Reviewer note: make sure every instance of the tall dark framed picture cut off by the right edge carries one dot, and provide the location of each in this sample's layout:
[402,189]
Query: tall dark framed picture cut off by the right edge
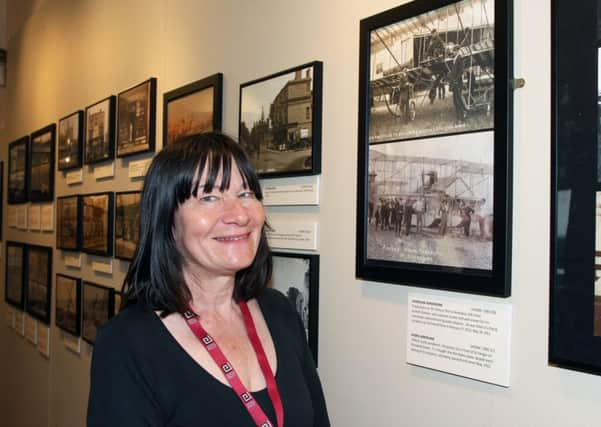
[575,279]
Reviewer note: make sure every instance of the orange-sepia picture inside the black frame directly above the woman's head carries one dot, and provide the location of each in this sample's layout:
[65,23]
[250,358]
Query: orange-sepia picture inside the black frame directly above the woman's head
[190,115]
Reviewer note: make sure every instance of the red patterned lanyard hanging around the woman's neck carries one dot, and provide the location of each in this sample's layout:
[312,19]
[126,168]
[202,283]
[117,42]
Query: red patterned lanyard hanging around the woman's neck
[230,374]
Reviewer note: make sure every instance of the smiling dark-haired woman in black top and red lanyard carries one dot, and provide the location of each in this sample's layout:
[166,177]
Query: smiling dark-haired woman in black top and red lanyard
[200,338]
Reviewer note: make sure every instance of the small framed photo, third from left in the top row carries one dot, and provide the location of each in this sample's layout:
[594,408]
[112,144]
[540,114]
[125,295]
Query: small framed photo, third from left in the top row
[70,141]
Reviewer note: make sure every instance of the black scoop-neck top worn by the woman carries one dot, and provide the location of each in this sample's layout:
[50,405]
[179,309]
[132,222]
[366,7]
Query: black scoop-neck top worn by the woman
[141,376]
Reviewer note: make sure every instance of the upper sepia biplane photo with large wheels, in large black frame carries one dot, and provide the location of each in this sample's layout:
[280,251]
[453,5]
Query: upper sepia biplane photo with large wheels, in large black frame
[433,74]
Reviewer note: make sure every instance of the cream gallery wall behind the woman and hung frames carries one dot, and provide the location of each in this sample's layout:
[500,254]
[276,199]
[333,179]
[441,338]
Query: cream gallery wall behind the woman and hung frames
[70,54]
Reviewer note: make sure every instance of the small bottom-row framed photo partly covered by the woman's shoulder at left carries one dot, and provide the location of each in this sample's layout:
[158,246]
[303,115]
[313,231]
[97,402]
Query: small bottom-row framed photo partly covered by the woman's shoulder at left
[97,309]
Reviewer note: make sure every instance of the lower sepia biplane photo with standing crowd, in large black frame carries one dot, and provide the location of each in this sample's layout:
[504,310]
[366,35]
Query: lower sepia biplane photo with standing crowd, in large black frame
[431,201]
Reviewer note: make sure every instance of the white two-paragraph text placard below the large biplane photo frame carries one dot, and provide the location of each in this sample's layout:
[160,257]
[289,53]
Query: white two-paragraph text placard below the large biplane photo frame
[465,337]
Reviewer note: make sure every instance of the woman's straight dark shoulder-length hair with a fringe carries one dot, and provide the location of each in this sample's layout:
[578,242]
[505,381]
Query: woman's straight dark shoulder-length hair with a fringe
[155,276]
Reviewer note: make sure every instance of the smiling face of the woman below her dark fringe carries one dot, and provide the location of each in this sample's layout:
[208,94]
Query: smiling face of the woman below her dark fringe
[218,233]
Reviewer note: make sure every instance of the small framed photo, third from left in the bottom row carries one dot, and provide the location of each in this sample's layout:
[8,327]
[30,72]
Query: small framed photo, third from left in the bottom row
[68,304]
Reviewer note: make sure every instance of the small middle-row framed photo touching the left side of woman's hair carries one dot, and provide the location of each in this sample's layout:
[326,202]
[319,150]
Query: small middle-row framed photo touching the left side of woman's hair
[127,223]
